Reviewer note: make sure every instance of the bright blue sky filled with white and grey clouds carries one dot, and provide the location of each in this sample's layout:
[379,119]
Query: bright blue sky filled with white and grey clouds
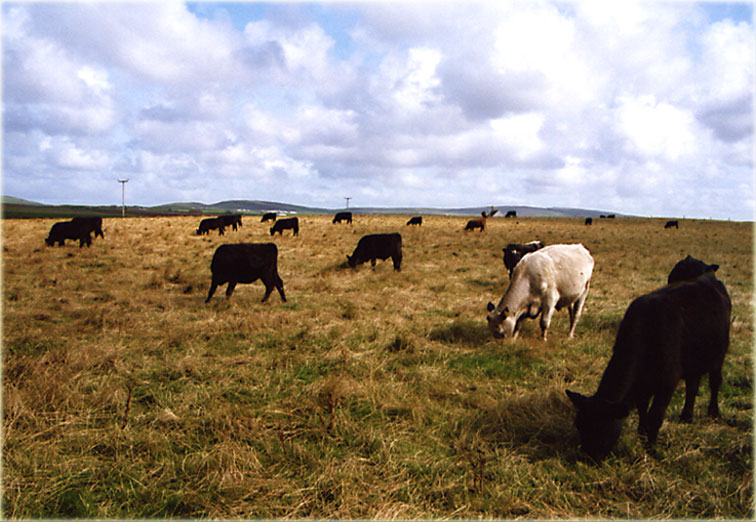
[642,108]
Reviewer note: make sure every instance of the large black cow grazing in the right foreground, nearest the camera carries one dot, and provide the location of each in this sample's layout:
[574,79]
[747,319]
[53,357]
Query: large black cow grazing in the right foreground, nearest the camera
[680,331]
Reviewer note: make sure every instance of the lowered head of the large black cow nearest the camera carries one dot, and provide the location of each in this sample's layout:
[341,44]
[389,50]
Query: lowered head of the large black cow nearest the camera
[599,424]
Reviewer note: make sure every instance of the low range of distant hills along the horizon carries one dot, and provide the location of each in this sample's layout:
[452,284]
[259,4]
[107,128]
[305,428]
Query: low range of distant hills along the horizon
[18,208]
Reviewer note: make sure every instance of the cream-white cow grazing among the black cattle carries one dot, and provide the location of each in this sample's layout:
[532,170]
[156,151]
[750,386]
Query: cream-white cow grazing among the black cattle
[543,281]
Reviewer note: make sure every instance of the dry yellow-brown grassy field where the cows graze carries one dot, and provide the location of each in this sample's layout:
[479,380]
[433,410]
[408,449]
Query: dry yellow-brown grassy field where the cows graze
[369,394]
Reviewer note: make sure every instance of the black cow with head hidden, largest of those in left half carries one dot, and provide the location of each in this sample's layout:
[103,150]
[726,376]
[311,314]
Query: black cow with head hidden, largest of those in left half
[246,263]
